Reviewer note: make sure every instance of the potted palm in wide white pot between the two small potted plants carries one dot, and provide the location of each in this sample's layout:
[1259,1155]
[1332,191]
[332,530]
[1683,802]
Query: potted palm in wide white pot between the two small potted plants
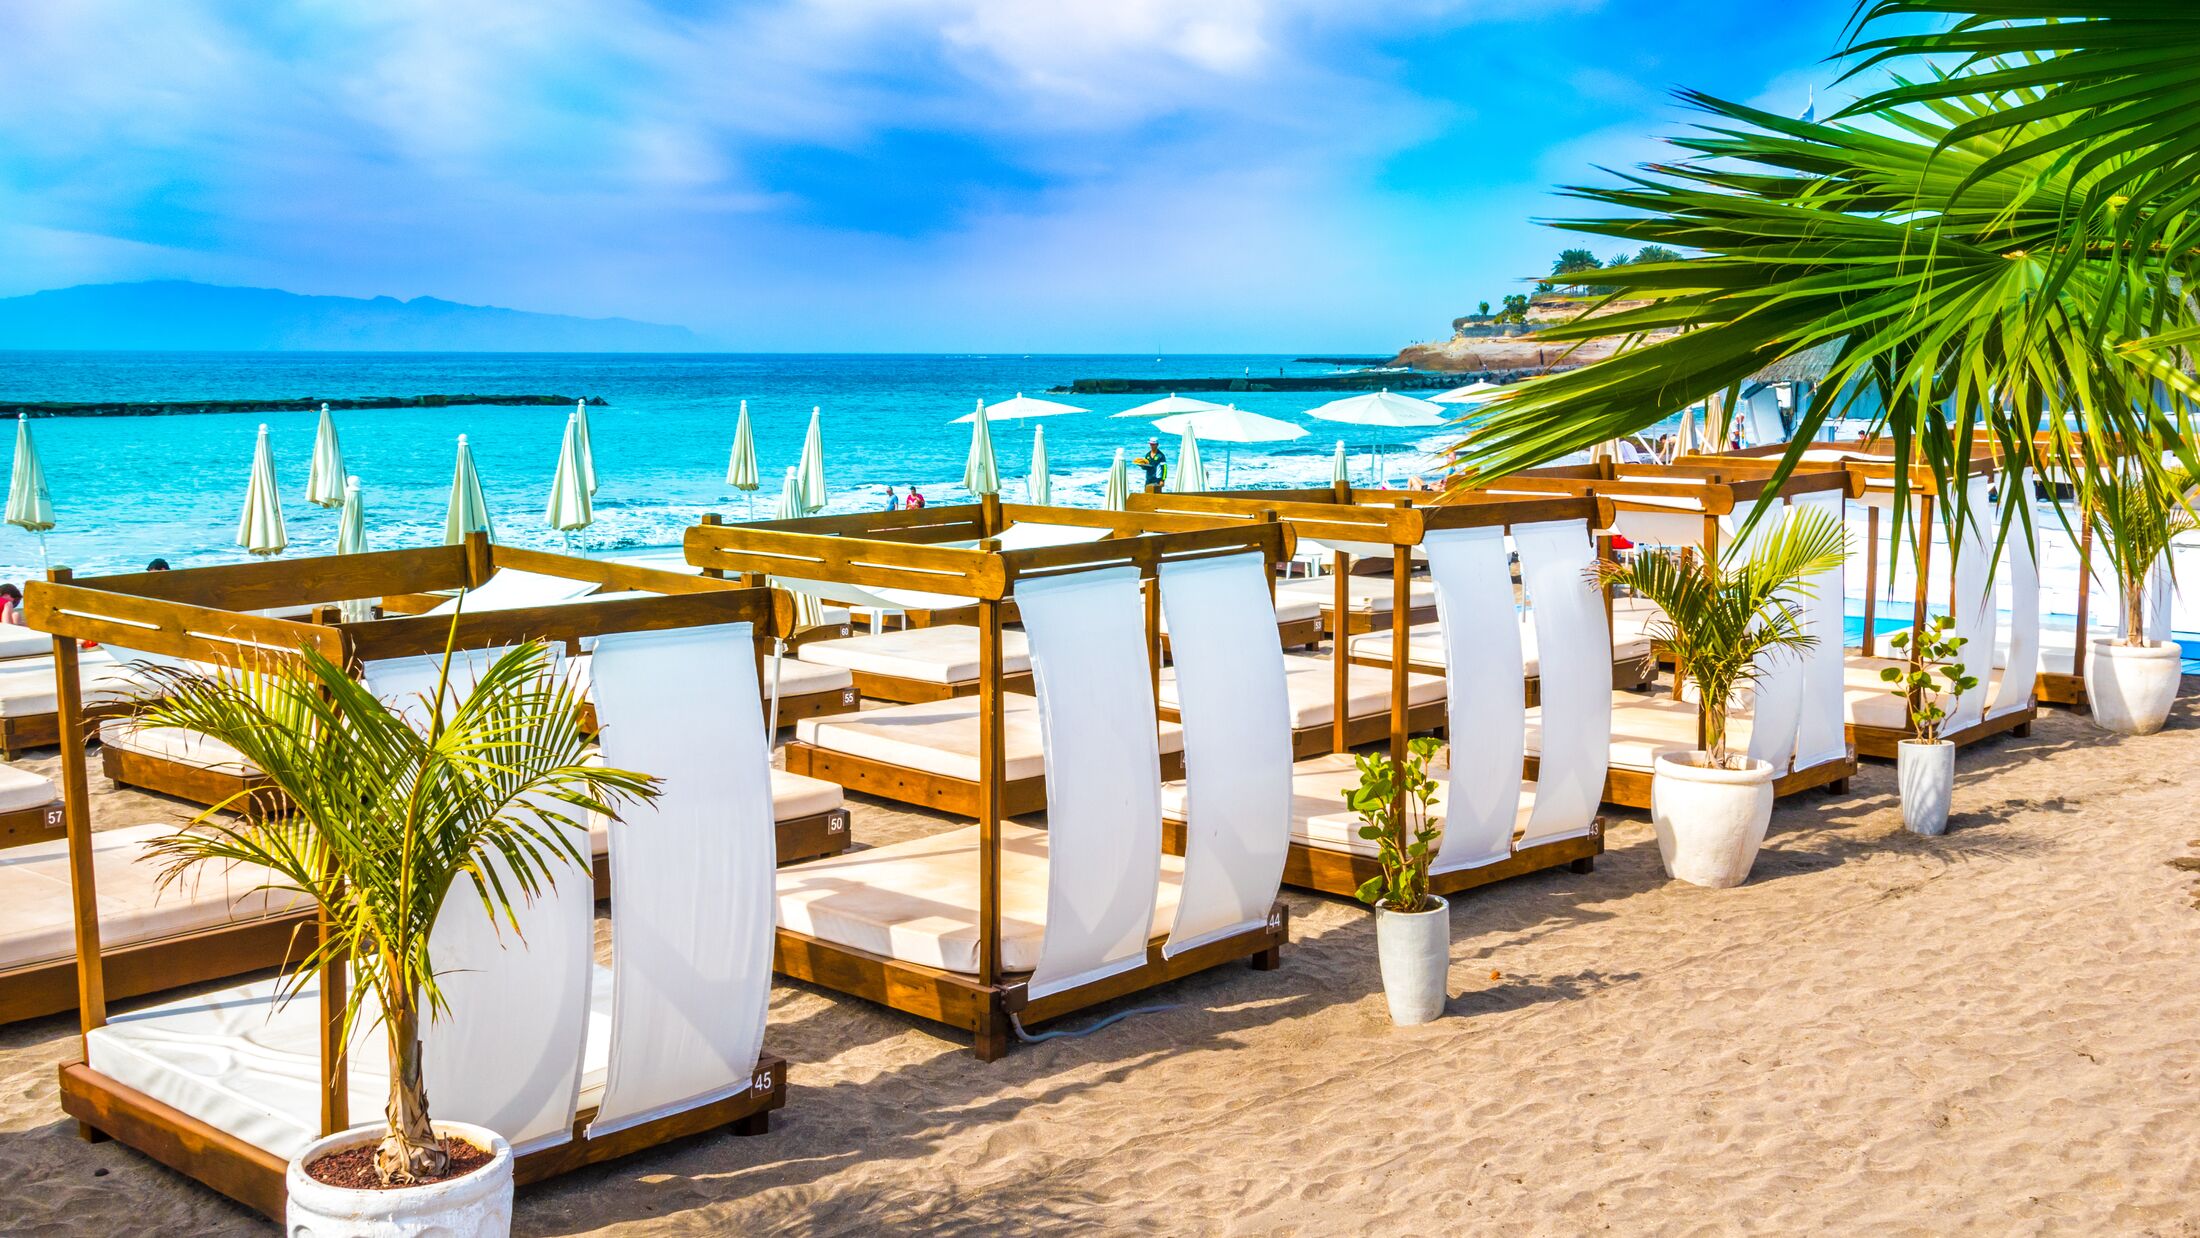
[1721,621]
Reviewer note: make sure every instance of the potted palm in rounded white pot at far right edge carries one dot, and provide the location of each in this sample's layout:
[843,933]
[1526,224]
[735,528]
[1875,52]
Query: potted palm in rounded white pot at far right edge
[2131,681]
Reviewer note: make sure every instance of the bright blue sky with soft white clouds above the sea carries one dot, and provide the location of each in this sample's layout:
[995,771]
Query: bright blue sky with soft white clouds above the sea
[863,175]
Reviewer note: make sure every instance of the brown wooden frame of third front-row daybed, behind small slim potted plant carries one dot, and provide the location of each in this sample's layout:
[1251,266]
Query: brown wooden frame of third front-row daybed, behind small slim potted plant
[1385,518]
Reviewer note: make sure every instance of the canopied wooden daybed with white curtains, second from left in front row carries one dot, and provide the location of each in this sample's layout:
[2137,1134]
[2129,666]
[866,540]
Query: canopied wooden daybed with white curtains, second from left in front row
[956,927]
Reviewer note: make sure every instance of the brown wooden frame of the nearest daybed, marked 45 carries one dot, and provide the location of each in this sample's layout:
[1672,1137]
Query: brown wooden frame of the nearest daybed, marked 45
[199,615]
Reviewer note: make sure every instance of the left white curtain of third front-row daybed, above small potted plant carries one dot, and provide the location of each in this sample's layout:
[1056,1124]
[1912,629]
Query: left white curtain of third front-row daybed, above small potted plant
[1486,696]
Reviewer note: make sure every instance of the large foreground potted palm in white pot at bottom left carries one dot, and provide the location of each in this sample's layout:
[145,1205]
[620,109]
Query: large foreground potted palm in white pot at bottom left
[386,819]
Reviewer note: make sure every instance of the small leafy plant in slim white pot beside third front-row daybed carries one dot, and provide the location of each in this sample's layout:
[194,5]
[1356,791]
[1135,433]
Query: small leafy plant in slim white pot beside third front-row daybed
[1413,931]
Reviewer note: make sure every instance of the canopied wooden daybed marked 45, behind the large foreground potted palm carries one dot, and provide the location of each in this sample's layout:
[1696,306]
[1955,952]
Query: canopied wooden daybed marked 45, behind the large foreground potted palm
[232,1118]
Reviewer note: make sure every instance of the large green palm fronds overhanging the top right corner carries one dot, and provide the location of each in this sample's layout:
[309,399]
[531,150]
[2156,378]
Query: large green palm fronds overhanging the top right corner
[1992,252]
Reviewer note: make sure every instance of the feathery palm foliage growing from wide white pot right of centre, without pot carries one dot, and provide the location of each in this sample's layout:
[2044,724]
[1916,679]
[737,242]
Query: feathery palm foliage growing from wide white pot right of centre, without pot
[1721,621]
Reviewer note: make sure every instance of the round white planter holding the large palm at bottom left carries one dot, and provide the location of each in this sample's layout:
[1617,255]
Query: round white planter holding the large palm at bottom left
[476,1206]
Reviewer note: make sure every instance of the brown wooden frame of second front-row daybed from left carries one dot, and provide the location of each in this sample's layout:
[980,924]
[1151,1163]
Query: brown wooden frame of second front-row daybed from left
[987,1004]
